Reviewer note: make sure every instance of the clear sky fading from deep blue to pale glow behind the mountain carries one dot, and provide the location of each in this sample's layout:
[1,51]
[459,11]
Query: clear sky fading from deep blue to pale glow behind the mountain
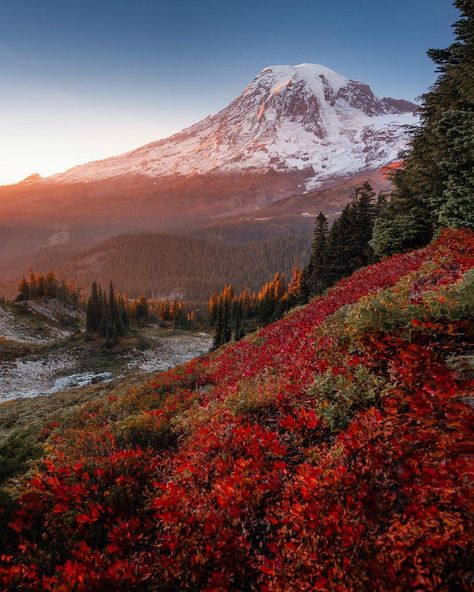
[81,80]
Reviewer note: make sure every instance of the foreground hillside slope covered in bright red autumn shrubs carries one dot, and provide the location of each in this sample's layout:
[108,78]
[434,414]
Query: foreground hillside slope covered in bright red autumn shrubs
[326,452]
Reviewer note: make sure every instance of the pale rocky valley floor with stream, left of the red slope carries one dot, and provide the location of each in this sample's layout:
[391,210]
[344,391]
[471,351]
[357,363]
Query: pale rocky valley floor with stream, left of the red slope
[45,367]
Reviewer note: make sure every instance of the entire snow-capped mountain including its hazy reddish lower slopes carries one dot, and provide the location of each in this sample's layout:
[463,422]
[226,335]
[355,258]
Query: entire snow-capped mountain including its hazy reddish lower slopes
[293,144]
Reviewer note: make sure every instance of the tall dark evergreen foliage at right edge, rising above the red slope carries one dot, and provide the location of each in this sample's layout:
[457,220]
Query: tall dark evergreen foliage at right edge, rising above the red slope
[435,186]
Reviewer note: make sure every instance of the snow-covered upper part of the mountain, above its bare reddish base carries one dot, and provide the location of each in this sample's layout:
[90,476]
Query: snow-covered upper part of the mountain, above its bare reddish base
[306,119]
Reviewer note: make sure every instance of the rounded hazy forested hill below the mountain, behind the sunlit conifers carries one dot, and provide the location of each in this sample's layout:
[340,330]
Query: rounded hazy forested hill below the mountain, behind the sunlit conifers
[165,266]
